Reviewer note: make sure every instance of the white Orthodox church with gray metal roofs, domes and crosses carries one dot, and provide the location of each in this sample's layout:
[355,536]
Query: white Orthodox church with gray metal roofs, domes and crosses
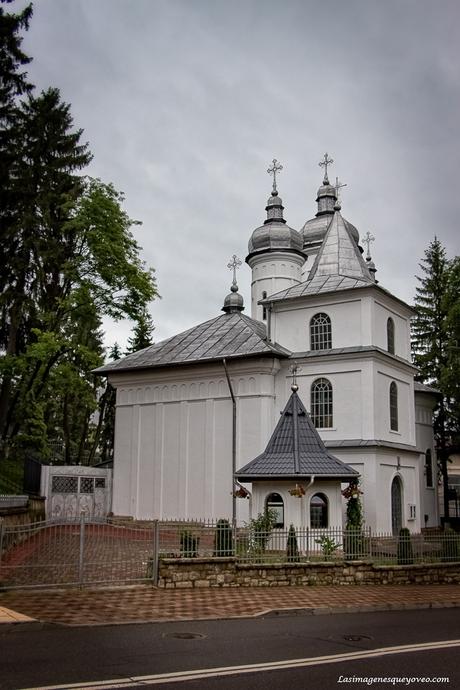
[286,407]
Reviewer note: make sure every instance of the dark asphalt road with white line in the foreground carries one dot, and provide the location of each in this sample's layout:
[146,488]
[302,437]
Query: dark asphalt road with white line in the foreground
[38,656]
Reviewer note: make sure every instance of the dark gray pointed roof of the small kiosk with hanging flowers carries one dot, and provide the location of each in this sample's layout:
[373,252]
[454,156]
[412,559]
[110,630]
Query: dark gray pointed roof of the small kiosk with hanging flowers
[295,450]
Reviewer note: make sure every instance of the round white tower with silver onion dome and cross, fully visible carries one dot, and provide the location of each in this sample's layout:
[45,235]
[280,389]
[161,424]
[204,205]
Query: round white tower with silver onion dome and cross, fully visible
[275,252]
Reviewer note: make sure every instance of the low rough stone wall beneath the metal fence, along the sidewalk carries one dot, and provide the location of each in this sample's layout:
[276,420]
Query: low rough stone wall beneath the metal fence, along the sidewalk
[185,573]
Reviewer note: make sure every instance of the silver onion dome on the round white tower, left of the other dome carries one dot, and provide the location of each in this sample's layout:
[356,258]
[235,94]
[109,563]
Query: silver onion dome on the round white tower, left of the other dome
[274,234]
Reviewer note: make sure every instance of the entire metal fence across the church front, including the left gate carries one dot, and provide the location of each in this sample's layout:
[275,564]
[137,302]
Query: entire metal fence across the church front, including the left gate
[92,551]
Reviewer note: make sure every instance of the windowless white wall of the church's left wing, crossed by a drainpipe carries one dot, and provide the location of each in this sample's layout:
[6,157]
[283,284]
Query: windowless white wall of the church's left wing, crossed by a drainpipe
[173,437]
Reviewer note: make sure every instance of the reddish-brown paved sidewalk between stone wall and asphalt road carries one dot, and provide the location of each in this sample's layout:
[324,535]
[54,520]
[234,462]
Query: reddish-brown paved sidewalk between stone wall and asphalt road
[141,604]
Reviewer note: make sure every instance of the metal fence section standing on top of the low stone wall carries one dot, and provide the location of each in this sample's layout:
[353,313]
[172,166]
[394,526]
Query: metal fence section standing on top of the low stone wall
[305,544]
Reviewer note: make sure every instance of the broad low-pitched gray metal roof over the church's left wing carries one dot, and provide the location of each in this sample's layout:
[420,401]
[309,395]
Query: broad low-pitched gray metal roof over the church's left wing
[229,335]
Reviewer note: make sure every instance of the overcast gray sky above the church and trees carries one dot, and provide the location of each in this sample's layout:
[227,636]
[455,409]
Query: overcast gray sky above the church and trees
[185,102]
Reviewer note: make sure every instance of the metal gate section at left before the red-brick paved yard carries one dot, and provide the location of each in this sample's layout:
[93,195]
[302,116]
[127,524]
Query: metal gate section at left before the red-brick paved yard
[76,552]
